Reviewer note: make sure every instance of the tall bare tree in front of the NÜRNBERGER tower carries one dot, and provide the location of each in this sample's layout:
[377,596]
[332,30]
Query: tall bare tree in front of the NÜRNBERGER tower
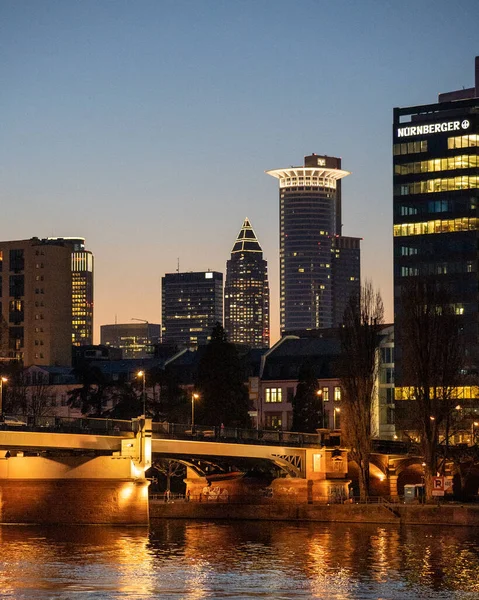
[431,362]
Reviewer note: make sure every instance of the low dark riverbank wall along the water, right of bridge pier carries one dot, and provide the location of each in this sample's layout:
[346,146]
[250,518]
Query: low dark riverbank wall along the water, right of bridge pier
[445,515]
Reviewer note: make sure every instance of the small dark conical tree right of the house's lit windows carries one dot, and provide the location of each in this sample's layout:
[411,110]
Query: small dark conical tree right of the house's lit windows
[308,415]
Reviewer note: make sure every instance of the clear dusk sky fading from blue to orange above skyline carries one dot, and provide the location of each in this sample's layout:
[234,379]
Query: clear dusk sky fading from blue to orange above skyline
[147,126]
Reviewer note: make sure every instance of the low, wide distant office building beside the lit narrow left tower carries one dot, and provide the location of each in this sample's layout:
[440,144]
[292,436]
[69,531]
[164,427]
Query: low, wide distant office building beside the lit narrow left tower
[135,340]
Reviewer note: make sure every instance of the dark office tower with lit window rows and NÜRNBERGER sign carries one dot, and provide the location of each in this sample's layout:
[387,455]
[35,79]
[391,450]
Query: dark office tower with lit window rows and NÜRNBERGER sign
[436,200]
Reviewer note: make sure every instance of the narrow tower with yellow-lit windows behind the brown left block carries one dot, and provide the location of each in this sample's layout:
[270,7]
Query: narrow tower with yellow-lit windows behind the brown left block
[82,290]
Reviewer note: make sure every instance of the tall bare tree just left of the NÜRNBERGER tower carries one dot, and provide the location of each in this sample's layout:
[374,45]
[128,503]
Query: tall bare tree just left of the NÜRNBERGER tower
[359,368]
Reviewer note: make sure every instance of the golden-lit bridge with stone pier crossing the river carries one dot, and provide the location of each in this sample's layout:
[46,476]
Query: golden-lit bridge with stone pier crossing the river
[93,470]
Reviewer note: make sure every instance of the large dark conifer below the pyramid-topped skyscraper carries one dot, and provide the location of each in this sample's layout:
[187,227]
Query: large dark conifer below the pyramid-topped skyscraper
[223,397]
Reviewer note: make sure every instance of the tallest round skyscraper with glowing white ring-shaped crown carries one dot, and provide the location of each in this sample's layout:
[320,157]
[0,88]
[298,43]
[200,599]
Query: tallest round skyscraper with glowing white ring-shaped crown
[310,225]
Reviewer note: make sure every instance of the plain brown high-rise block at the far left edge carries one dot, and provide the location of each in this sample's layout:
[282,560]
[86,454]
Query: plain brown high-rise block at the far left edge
[36,302]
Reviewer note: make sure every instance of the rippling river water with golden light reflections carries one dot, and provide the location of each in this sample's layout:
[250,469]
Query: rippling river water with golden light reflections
[191,560]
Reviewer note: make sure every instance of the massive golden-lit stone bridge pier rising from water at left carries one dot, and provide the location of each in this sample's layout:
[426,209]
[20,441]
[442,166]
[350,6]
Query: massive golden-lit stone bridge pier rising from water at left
[59,486]
